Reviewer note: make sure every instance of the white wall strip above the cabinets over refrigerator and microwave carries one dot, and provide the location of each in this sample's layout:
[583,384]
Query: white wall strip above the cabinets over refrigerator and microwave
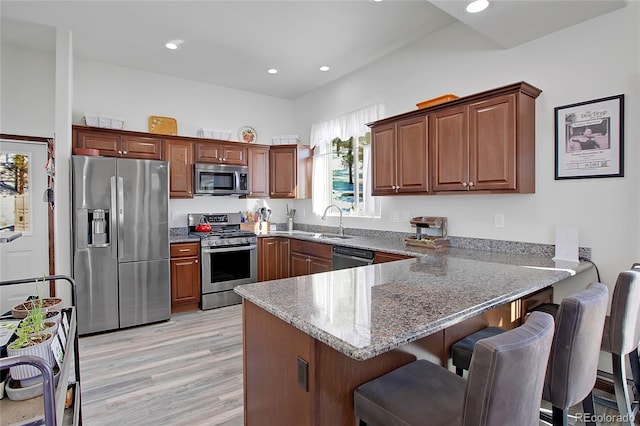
[135,95]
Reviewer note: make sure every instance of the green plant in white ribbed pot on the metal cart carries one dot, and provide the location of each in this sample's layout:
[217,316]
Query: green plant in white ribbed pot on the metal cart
[33,337]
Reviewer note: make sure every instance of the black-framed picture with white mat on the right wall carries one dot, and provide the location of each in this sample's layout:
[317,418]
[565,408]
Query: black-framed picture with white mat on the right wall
[590,139]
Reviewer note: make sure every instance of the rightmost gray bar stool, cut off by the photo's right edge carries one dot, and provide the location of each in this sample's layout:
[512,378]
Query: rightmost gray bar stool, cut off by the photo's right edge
[621,337]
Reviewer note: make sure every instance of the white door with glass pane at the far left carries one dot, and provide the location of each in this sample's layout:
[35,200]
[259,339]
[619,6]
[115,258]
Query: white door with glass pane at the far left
[23,209]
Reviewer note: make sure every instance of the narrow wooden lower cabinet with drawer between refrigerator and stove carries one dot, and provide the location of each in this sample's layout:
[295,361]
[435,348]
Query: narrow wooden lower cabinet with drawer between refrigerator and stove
[185,276]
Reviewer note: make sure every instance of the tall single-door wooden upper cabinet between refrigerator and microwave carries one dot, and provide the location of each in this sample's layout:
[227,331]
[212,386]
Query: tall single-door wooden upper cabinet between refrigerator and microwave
[179,154]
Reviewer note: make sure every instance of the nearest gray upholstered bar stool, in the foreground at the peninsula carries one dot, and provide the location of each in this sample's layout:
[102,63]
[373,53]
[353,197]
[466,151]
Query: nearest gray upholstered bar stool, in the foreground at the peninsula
[498,390]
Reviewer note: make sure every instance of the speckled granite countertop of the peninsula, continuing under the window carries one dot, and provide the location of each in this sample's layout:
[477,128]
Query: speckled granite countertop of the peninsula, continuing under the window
[365,311]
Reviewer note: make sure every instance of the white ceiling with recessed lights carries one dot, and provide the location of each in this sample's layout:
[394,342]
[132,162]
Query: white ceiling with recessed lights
[233,43]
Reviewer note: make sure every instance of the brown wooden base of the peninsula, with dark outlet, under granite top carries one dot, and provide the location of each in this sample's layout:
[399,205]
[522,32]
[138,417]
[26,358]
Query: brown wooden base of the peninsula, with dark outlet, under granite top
[272,396]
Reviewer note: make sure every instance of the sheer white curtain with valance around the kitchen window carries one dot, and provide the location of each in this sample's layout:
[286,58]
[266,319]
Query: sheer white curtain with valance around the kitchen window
[347,125]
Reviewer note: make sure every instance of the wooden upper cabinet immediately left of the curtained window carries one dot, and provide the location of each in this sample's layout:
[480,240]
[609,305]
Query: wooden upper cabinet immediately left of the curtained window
[290,171]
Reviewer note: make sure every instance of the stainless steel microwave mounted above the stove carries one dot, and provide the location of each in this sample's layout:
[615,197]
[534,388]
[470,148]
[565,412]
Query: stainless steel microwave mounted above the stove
[220,179]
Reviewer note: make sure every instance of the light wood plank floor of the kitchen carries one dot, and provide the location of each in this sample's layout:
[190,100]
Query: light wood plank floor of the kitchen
[187,371]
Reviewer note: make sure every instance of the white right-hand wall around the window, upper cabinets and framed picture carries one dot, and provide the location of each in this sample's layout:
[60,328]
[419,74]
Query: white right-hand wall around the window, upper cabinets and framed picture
[598,58]
